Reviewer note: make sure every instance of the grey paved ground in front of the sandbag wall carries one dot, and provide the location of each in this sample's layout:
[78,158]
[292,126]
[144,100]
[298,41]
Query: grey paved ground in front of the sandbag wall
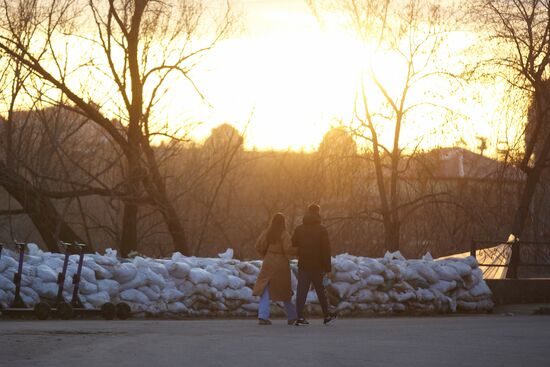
[479,340]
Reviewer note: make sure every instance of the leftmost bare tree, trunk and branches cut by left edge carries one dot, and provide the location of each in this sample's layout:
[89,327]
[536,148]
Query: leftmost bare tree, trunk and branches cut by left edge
[46,218]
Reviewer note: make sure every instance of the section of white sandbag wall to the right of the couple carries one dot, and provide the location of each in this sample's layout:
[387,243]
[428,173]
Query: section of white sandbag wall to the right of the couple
[394,284]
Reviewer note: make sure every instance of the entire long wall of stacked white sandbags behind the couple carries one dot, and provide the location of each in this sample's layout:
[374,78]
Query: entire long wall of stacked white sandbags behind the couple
[191,286]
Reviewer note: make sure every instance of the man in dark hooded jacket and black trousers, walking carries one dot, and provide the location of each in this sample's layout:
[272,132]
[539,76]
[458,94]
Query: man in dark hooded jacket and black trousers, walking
[311,239]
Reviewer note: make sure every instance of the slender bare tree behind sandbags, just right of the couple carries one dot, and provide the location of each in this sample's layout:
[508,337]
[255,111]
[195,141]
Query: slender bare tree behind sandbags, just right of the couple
[409,34]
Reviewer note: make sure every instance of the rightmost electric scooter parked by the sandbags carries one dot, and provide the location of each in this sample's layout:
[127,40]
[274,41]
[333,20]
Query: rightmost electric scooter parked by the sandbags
[108,310]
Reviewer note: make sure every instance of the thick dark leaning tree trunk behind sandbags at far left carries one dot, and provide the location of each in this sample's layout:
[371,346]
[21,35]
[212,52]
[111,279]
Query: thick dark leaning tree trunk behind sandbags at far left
[41,211]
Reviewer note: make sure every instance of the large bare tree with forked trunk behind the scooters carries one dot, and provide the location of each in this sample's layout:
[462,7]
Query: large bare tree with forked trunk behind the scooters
[138,49]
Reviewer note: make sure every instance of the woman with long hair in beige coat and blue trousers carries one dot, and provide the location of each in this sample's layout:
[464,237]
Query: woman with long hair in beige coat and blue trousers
[275,247]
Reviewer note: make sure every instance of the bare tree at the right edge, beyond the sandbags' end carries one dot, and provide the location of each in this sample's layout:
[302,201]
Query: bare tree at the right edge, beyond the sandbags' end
[519,40]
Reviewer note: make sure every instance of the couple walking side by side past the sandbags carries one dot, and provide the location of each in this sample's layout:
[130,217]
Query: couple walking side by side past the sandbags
[311,244]
